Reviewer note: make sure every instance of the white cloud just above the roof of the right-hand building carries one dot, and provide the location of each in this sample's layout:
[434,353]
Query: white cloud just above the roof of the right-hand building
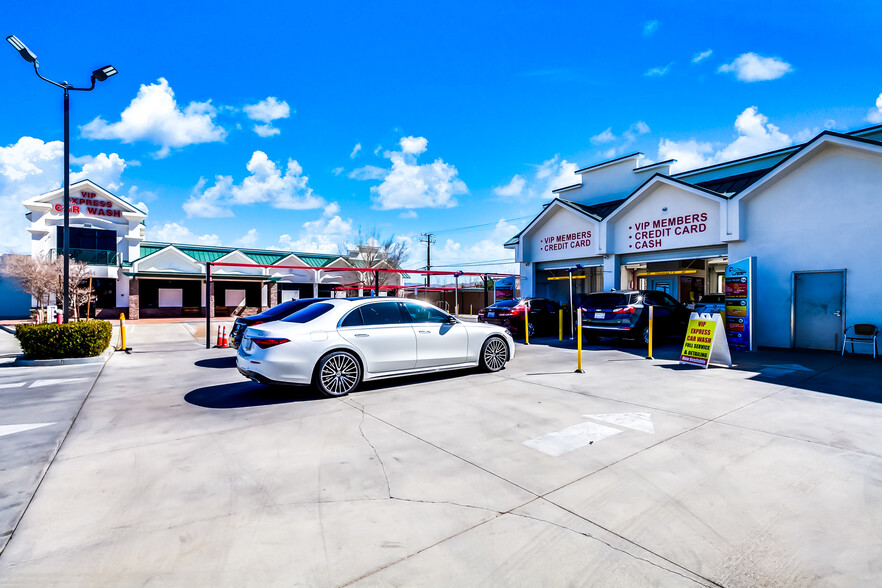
[755,135]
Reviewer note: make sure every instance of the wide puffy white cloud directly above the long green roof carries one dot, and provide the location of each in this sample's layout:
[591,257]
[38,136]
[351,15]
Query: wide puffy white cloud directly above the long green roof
[266,184]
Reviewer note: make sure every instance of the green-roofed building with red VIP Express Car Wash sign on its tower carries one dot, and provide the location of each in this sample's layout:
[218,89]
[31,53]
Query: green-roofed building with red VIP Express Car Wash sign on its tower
[145,279]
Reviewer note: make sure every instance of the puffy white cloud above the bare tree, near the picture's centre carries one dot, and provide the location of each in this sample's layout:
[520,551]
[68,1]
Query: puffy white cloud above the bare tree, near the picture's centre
[409,184]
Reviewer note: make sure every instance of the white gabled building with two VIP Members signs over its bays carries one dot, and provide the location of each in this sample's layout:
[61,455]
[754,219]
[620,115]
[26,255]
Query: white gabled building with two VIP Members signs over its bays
[808,217]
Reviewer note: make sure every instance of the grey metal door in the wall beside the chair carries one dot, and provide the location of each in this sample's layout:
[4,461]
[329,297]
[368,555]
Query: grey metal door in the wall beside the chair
[818,305]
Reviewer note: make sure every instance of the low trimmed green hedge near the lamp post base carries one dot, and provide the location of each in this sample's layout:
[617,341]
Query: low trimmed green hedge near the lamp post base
[51,341]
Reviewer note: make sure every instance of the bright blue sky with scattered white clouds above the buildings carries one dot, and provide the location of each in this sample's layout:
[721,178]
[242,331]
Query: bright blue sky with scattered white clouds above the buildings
[294,125]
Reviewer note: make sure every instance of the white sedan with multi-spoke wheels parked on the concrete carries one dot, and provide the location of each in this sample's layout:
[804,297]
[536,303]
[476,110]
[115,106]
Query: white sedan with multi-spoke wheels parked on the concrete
[338,343]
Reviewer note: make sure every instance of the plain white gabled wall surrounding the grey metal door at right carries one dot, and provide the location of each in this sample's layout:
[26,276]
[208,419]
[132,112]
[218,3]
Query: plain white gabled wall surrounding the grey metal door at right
[826,214]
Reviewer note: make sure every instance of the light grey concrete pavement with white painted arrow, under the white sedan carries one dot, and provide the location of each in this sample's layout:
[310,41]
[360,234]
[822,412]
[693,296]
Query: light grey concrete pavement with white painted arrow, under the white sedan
[637,472]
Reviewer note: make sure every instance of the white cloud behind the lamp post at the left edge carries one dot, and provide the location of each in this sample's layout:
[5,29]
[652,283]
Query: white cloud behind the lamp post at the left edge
[30,167]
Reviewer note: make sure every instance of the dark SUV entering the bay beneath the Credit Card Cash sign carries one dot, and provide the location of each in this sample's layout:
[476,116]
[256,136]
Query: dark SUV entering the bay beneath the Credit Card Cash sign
[625,313]
